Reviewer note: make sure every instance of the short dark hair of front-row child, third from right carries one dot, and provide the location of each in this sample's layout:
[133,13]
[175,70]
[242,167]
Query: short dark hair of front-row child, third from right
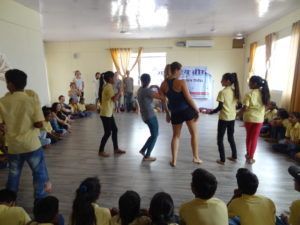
[204,184]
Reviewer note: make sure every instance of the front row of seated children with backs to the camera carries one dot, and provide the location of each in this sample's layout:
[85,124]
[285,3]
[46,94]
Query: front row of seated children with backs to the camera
[245,208]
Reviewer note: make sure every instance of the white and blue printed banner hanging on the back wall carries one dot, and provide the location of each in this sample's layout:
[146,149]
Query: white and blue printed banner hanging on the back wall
[199,81]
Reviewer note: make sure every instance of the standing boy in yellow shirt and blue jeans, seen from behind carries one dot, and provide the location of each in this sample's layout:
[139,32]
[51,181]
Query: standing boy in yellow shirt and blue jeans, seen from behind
[20,118]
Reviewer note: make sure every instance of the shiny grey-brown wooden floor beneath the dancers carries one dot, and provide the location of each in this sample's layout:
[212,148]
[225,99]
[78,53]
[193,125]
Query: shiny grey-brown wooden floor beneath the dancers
[75,158]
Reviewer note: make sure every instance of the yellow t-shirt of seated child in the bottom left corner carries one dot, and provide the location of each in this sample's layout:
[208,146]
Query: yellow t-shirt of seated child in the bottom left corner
[13,215]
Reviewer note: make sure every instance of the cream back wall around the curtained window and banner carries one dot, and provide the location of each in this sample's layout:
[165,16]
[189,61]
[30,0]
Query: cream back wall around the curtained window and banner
[94,56]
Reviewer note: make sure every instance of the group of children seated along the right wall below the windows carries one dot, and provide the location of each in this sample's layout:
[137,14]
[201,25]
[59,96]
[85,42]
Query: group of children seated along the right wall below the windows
[282,129]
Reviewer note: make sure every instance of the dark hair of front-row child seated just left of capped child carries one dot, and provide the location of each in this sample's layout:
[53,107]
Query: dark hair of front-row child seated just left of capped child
[247,181]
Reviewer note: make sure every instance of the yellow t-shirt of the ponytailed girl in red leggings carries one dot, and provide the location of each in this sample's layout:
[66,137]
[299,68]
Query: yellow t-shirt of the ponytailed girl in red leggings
[255,109]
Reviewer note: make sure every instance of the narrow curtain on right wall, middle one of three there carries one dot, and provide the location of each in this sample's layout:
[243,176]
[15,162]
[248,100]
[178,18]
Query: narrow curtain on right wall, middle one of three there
[270,41]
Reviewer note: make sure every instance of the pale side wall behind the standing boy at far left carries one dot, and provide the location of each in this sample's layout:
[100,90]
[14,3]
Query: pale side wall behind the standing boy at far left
[21,42]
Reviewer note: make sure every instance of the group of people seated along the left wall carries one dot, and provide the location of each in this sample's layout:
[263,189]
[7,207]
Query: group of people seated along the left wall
[58,119]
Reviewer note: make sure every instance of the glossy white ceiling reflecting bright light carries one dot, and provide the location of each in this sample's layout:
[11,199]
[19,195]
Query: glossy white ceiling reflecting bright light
[64,20]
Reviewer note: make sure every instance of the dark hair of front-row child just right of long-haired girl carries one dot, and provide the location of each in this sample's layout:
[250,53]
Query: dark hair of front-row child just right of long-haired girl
[129,206]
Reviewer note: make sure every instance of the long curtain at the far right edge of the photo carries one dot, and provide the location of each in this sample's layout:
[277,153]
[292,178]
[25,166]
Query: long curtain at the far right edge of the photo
[295,69]
